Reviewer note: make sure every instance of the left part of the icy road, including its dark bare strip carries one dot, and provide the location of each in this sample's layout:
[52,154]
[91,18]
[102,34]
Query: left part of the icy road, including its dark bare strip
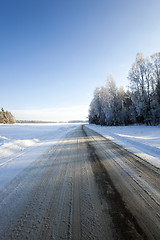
[67,194]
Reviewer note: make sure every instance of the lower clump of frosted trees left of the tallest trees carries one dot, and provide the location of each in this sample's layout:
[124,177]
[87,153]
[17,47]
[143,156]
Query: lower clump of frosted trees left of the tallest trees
[107,106]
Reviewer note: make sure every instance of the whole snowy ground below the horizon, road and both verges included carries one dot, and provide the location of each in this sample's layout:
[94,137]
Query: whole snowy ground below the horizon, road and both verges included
[46,183]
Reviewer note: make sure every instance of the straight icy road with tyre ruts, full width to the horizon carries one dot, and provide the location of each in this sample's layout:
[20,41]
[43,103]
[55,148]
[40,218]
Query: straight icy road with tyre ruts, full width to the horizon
[73,191]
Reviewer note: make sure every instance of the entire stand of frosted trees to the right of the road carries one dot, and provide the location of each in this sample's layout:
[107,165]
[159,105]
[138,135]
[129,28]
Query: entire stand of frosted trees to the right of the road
[140,104]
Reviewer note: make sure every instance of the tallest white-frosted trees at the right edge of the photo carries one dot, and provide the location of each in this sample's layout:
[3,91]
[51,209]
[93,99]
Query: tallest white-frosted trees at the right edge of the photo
[144,79]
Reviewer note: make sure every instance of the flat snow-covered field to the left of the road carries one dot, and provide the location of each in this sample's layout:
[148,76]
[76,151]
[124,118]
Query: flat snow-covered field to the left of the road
[21,144]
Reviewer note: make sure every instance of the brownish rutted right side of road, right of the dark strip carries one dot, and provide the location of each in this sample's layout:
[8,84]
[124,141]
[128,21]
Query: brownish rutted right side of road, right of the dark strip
[140,194]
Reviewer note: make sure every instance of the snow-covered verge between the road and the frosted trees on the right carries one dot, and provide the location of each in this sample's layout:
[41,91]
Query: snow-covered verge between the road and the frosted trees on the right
[142,140]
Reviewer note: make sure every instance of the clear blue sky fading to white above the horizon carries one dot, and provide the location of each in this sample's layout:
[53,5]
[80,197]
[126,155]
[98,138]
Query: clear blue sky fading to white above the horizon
[53,54]
